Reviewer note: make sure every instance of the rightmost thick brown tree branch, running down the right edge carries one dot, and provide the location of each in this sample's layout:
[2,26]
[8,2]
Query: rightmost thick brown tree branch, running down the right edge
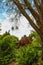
[39,8]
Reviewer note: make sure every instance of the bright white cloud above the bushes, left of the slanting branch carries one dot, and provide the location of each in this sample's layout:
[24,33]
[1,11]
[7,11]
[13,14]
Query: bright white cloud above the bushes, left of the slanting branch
[24,27]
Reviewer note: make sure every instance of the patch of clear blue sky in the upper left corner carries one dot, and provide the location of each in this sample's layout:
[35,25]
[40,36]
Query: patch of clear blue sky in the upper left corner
[5,10]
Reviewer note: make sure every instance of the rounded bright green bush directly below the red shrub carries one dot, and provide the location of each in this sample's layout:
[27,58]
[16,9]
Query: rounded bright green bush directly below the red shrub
[27,55]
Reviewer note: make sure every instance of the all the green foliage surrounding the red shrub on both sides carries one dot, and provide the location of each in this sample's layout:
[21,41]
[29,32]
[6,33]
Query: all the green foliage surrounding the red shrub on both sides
[25,55]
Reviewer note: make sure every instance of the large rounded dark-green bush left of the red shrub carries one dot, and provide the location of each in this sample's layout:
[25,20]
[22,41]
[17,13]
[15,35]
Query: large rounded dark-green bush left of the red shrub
[8,46]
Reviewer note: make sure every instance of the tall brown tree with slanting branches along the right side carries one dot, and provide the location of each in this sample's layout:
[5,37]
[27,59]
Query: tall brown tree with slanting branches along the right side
[36,12]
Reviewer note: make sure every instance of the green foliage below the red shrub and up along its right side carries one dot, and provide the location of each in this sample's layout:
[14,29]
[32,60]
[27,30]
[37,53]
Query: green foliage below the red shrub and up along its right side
[28,55]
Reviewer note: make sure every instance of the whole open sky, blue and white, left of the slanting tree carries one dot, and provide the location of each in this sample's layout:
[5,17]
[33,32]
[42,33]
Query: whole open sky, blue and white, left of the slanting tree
[23,26]
